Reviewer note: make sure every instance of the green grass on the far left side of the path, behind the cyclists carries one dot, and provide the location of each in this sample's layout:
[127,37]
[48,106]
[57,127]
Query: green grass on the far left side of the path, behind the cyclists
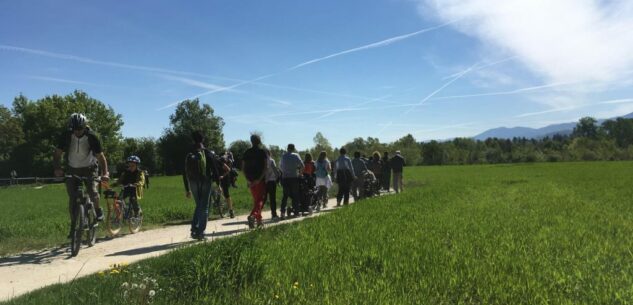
[34,218]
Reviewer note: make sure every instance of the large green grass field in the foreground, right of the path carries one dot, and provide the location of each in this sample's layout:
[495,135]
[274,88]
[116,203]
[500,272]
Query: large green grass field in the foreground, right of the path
[509,234]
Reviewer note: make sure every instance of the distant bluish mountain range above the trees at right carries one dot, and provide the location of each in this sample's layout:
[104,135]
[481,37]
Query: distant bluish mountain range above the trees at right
[533,133]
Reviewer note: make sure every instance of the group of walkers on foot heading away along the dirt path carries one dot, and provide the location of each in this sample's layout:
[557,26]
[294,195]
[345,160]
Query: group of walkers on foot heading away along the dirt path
[296,176]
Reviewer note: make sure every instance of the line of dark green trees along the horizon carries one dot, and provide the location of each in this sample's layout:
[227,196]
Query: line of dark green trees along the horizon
[30,129]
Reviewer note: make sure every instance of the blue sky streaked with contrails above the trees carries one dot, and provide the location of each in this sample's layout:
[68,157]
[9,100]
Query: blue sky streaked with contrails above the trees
[288,69]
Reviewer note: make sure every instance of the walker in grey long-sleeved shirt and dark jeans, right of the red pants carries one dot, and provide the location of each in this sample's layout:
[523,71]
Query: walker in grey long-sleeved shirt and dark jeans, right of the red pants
[291,165]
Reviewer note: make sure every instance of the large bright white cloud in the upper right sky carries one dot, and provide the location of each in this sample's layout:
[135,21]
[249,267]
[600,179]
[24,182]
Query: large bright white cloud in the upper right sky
[561,41]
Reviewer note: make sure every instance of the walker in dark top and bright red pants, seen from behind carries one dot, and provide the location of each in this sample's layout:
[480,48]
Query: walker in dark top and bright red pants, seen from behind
[254,164]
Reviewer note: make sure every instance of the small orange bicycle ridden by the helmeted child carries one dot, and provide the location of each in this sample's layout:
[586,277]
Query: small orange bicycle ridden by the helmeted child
[120,212]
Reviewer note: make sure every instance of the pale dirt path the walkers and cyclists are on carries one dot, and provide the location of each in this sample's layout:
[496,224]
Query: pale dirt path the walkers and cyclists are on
[26,272]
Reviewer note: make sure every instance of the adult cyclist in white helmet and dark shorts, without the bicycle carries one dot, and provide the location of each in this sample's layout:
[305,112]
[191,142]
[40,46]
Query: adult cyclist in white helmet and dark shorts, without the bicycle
[84,157]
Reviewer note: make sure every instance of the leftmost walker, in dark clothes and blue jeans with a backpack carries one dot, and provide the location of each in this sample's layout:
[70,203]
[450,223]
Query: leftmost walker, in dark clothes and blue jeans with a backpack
[200,172]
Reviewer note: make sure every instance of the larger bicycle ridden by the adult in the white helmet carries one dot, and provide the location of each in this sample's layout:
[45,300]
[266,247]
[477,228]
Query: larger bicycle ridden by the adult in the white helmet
[84,216]
